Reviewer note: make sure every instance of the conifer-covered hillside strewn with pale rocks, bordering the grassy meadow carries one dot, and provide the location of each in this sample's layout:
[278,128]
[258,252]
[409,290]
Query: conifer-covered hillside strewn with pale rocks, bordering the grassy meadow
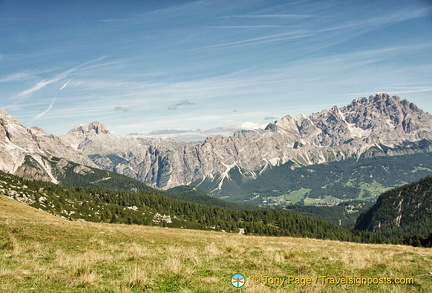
[151,208]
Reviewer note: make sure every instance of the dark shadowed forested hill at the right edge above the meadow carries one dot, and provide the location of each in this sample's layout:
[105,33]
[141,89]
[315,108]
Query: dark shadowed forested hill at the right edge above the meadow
[404,211]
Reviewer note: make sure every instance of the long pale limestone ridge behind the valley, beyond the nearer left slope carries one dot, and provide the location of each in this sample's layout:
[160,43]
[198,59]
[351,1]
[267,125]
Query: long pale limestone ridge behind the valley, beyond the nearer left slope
[378,125]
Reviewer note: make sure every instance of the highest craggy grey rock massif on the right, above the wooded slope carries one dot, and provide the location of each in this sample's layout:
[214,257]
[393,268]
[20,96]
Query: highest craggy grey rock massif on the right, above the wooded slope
[381,117]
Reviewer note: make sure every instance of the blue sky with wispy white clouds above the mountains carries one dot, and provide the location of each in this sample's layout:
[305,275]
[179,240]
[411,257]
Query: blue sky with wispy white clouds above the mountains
[198,68]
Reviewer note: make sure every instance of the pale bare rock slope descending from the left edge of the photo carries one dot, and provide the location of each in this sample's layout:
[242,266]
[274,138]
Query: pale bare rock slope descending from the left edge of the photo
[27,151]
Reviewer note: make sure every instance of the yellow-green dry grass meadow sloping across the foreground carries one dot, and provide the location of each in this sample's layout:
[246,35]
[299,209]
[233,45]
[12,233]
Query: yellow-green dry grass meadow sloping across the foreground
[43,253]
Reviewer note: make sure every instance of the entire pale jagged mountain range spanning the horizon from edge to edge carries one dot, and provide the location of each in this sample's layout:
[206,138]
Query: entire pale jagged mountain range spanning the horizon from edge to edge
[380,126]
